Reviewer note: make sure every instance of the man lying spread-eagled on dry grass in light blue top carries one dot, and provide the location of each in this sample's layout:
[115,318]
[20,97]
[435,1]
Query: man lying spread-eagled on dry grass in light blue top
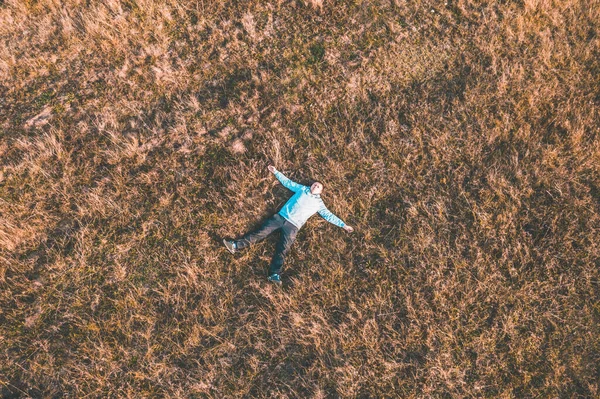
[304,203]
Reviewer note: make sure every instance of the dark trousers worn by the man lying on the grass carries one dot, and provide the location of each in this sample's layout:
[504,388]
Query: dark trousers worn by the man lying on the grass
[274,223]
